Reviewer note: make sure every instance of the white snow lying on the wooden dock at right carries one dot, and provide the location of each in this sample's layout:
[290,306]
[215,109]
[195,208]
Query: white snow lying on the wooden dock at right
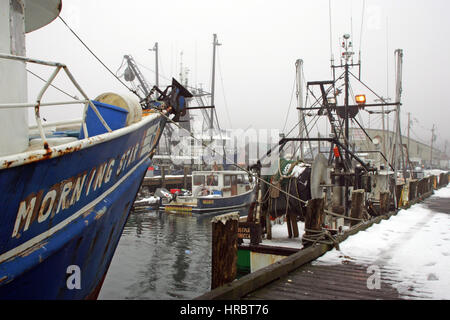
[411,248]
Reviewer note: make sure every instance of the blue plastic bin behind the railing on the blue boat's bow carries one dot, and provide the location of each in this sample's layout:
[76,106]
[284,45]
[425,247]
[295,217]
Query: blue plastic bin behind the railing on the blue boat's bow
[114,116]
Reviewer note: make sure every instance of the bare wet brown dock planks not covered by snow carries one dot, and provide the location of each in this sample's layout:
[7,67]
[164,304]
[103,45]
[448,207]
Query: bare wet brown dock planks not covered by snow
[345,281]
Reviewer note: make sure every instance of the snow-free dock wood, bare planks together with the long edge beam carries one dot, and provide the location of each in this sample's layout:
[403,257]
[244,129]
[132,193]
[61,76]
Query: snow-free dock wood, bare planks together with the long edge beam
[296,278]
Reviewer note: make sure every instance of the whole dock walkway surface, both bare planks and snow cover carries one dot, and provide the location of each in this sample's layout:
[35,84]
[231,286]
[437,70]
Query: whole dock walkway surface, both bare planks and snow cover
[405,257]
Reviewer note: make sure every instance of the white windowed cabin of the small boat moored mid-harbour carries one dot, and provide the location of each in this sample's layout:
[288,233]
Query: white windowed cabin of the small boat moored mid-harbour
[219,183]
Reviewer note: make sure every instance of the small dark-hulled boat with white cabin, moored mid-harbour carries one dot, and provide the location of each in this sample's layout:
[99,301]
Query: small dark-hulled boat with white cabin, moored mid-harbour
[214,191]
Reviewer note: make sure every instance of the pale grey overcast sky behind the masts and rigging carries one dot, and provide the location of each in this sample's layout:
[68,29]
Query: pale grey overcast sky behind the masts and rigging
[261,41]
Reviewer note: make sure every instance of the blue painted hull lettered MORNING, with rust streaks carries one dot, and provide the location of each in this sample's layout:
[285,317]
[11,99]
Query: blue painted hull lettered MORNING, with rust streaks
[69,210]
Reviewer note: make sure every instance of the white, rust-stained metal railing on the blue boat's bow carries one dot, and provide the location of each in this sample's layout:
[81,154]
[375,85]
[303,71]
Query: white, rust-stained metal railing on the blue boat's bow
[36,105]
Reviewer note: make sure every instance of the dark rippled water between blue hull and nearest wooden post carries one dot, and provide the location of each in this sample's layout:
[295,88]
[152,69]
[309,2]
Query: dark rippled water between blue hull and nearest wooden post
[160,256]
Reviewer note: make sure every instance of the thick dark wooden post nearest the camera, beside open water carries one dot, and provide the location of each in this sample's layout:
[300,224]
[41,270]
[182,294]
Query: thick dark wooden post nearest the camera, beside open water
[224,249]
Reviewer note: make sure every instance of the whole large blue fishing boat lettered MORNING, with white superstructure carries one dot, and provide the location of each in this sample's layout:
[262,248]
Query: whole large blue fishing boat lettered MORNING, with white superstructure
[65,198]
